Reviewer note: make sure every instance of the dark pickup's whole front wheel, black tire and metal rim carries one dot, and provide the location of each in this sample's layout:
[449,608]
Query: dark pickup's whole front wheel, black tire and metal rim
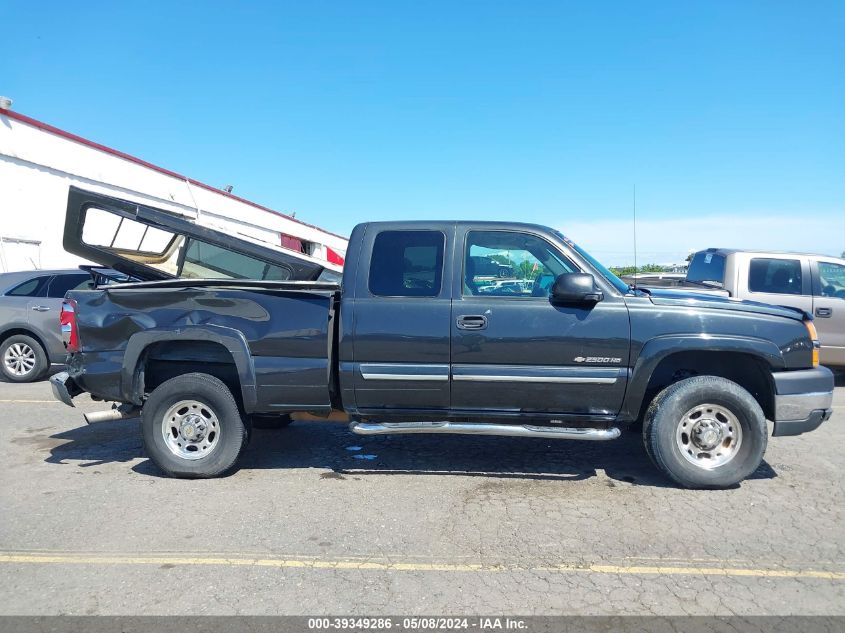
[705,432]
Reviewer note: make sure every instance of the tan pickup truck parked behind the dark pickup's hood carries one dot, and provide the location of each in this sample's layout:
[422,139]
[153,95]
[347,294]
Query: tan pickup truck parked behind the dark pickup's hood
[814,283]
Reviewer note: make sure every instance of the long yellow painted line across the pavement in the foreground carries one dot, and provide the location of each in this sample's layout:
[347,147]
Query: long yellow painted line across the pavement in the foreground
[418,566]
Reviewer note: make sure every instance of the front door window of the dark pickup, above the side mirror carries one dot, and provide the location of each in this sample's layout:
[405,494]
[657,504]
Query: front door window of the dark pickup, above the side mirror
[510,264]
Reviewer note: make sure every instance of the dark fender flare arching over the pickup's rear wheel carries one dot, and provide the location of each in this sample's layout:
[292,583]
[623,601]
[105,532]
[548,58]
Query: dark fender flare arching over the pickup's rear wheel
[233,340]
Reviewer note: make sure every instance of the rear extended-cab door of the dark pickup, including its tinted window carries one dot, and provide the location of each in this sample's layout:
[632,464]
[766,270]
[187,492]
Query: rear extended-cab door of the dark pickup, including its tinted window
[398,314]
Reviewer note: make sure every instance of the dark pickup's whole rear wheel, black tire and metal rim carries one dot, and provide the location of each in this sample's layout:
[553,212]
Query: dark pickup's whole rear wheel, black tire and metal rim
[188,415]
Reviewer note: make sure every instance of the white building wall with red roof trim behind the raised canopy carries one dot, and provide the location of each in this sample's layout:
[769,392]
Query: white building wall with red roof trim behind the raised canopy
[37,166]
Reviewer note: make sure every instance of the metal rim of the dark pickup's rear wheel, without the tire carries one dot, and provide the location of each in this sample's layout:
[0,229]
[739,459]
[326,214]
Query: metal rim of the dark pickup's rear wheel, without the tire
[190,429]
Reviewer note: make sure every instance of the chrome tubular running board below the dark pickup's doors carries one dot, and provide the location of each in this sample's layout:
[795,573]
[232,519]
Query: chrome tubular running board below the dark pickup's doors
[463,428]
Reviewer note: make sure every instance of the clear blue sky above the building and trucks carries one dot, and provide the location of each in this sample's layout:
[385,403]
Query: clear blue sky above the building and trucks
[721,113]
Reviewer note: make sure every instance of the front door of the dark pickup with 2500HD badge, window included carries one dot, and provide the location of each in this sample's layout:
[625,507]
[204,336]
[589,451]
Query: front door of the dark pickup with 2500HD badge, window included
[515,351]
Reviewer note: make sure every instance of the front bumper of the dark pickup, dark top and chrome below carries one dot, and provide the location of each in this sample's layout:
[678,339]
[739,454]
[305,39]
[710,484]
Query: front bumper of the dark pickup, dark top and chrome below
[803,400]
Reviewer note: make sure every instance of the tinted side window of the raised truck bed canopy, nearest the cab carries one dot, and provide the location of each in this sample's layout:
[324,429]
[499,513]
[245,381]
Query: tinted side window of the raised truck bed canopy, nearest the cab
[206,261]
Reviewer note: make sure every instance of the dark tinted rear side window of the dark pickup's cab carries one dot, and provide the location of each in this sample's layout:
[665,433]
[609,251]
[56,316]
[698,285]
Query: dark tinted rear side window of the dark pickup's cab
[407,264]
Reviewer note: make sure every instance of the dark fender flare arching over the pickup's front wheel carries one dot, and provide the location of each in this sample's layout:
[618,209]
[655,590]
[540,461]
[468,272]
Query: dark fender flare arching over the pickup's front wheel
[658,348]
